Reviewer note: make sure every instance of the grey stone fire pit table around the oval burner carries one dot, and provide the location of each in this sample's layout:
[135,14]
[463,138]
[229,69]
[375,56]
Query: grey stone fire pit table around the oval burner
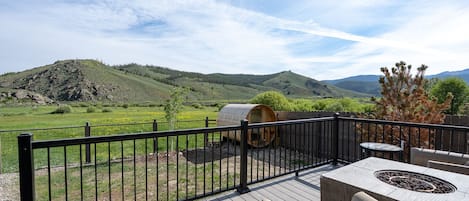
[343,182]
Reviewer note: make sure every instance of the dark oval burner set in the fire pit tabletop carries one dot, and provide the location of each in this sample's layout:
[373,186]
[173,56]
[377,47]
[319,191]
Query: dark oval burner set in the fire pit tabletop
[415,181]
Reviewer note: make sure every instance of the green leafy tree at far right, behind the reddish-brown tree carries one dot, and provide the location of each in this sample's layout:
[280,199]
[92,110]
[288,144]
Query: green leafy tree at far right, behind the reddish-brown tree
[456,87]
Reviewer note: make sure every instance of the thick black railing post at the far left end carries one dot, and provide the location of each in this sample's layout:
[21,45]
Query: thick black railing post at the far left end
[26,167]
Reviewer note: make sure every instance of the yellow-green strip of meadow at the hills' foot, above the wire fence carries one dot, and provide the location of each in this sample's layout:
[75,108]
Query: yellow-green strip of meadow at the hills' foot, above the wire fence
[26,117]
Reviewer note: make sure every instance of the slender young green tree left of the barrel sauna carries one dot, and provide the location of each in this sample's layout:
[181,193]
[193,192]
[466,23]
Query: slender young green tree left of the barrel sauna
[174,105]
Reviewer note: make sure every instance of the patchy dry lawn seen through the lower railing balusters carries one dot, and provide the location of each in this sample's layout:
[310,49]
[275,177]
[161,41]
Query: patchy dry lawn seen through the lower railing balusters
[126,179]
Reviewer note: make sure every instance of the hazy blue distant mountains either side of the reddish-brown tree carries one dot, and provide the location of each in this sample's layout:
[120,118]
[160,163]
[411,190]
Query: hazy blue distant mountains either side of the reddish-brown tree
[369,83]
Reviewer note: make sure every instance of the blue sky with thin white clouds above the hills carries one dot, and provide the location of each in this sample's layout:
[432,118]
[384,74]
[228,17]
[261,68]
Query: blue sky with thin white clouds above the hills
[320,39]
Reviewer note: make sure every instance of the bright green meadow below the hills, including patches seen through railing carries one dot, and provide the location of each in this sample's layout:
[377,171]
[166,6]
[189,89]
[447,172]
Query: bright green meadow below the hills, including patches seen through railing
[28,117]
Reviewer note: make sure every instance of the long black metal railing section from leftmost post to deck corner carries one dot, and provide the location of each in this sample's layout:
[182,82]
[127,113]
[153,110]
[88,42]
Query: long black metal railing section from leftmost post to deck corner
[185,165]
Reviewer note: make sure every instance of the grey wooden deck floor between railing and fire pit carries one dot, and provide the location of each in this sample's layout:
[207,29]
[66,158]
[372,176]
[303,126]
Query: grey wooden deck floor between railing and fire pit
[288,187]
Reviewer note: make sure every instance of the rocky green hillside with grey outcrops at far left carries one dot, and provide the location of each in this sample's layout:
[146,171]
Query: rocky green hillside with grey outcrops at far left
[85,80]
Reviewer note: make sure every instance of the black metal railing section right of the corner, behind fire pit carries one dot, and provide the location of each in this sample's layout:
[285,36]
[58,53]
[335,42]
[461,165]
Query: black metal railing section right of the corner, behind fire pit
[353,131]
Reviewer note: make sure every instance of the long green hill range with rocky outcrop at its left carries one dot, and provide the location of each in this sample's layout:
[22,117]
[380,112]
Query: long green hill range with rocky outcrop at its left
[90,80]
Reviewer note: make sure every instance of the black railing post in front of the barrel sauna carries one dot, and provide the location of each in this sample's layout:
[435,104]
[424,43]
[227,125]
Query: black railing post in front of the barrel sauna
[243,177]
